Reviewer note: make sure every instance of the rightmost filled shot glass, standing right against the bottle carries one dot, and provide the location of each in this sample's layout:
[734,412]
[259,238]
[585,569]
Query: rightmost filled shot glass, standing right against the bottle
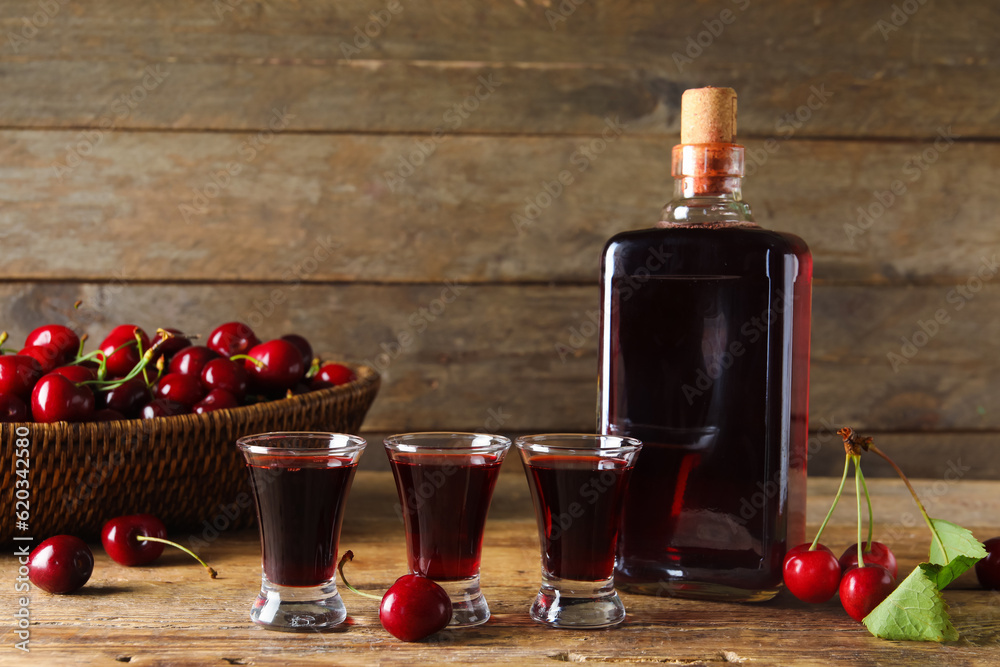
[578,487]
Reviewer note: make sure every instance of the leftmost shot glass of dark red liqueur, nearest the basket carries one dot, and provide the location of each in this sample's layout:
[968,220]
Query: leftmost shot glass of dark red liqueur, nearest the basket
[300,484]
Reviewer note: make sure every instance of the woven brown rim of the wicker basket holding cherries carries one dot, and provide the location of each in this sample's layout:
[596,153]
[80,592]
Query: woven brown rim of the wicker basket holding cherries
[365,377]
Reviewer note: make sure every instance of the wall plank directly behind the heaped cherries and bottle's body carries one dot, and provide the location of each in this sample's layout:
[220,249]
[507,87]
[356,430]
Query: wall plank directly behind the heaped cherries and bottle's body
[526,355]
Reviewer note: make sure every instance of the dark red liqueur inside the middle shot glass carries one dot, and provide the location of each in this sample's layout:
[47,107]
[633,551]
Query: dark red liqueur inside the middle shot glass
[444,485]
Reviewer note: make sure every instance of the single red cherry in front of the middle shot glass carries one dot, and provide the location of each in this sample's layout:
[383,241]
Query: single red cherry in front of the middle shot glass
[414,607]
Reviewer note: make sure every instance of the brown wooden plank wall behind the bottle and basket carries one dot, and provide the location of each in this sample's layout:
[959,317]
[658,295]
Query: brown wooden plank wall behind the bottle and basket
[187,162]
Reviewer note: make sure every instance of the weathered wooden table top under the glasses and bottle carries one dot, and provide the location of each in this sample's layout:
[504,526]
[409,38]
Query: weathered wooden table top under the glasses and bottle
[172,613]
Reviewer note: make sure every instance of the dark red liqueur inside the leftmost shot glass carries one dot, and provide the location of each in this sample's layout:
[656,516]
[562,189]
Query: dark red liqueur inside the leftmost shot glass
[298,507]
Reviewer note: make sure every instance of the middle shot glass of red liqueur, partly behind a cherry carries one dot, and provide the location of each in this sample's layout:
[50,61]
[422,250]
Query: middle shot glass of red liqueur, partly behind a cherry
[445,483]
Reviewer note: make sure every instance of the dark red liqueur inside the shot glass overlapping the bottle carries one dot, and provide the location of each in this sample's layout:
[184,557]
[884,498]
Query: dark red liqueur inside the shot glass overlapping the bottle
[578,502]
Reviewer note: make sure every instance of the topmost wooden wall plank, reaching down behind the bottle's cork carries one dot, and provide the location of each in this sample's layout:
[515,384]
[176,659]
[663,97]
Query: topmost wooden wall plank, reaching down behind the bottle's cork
[564,69]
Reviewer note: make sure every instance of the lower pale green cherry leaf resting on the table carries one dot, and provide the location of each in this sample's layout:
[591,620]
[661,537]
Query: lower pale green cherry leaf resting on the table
[915,610]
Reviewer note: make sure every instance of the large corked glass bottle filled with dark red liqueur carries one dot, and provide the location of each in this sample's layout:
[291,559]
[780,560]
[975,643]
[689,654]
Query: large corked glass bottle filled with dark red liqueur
[704,357]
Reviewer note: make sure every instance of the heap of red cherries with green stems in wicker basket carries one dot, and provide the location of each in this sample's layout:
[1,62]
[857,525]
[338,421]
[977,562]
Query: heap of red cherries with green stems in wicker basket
[131,375]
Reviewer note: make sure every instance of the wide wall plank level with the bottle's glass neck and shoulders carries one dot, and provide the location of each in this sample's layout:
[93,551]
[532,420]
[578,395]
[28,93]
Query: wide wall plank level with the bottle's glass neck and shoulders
[478,209]
